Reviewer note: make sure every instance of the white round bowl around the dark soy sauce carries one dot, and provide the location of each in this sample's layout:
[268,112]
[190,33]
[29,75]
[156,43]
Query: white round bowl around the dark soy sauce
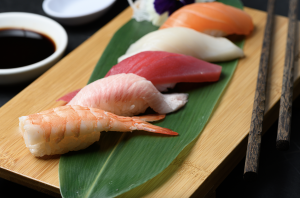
[38,24]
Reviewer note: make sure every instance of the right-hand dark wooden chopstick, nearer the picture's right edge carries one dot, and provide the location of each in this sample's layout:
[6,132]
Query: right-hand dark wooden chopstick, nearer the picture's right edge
[286,100]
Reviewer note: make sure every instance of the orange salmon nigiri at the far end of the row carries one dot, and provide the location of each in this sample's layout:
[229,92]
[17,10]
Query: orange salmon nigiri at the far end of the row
[213,18]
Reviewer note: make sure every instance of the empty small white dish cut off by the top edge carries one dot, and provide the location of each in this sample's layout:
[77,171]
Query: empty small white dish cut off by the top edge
[76,12]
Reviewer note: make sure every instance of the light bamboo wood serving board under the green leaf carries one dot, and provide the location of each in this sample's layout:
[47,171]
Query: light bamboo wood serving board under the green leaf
[199,168]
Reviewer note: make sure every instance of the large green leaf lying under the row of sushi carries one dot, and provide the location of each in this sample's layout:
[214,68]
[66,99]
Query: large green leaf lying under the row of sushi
[119,162]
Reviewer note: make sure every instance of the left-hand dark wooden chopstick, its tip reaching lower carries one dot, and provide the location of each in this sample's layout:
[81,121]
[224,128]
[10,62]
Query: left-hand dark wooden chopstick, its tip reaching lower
[254,139]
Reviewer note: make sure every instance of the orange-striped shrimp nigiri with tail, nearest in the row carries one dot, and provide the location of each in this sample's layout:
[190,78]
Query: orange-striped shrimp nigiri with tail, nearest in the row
[71,128]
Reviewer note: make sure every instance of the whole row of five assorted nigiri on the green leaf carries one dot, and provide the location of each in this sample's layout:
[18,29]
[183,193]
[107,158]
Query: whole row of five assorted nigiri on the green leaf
[172,51]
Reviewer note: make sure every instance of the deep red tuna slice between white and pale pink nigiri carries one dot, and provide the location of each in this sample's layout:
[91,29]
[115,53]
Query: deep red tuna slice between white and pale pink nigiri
[161,67]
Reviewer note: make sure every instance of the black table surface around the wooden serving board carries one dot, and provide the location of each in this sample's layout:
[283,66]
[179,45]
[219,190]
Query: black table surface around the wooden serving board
[279,173]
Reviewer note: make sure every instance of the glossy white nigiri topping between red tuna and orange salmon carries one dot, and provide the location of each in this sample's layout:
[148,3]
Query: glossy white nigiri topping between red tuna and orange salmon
[186,41]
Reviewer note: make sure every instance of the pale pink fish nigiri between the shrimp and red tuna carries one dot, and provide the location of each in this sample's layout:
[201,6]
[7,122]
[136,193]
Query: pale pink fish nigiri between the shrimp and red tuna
[127,95]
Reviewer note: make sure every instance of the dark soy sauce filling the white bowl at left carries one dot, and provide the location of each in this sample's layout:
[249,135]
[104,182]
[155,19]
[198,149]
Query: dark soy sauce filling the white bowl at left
[21,47]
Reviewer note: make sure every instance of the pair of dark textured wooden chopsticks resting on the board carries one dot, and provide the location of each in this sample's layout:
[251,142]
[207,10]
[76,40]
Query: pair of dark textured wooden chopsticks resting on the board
[283,135]
